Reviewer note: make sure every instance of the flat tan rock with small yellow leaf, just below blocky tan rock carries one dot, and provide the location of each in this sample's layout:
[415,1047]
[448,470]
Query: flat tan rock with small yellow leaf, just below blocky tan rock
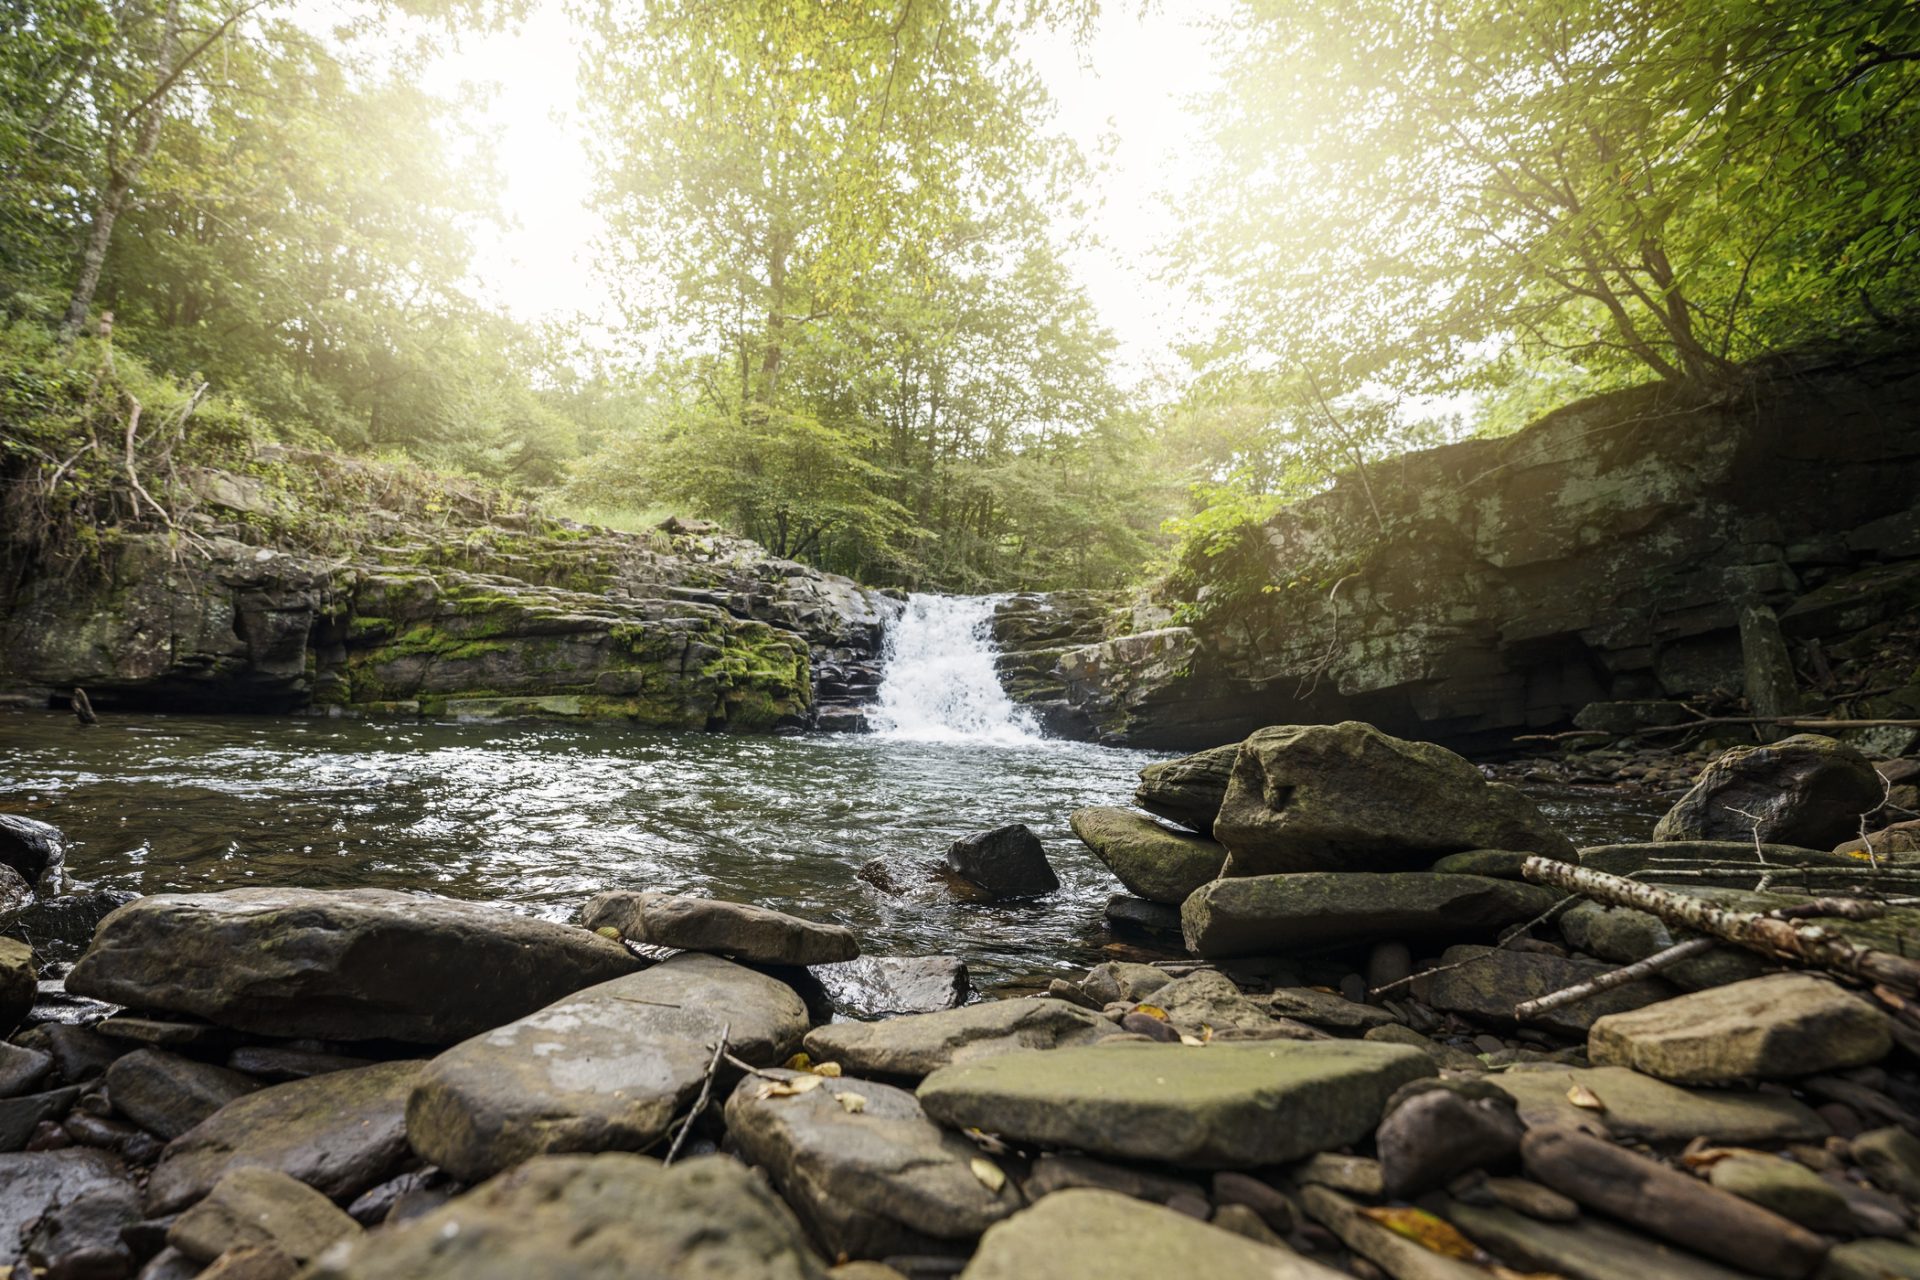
[1639,1108]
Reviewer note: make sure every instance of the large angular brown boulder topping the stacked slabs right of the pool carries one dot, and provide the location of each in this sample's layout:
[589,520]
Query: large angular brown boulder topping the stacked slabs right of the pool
[1353,799]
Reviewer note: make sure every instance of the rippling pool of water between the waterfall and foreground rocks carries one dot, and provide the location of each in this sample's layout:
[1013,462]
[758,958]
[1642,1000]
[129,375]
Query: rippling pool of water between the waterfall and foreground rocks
[542,817]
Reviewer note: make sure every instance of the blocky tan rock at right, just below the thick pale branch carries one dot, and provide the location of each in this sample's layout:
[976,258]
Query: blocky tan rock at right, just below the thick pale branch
[1769,1028]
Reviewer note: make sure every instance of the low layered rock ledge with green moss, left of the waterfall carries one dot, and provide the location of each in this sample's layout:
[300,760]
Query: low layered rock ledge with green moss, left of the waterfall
[675,628]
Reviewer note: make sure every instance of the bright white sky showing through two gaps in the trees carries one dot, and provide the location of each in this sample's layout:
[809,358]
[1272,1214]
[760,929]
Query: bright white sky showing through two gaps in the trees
[1124,99]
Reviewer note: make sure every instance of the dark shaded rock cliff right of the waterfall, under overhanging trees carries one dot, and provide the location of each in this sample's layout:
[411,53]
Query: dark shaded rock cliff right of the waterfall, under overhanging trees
[1499,586]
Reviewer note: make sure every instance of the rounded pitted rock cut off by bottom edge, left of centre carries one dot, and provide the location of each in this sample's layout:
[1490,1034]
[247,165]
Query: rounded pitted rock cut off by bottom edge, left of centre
[592,1218]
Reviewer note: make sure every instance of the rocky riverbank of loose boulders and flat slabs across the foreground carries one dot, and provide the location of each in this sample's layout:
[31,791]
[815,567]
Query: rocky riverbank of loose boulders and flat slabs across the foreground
[1385,1039]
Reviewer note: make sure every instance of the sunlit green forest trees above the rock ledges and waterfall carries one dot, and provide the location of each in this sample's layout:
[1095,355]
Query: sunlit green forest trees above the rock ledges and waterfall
[838,241]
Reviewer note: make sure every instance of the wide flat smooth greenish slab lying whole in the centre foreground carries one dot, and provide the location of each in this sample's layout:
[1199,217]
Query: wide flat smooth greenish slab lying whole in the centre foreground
[1222,1106]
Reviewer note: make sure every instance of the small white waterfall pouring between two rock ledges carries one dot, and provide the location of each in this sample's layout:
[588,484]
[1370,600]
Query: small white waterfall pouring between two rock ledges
[938,682]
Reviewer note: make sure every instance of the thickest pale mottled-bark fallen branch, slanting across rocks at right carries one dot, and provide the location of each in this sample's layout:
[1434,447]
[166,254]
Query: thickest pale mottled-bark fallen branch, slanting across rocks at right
[1769,936]
